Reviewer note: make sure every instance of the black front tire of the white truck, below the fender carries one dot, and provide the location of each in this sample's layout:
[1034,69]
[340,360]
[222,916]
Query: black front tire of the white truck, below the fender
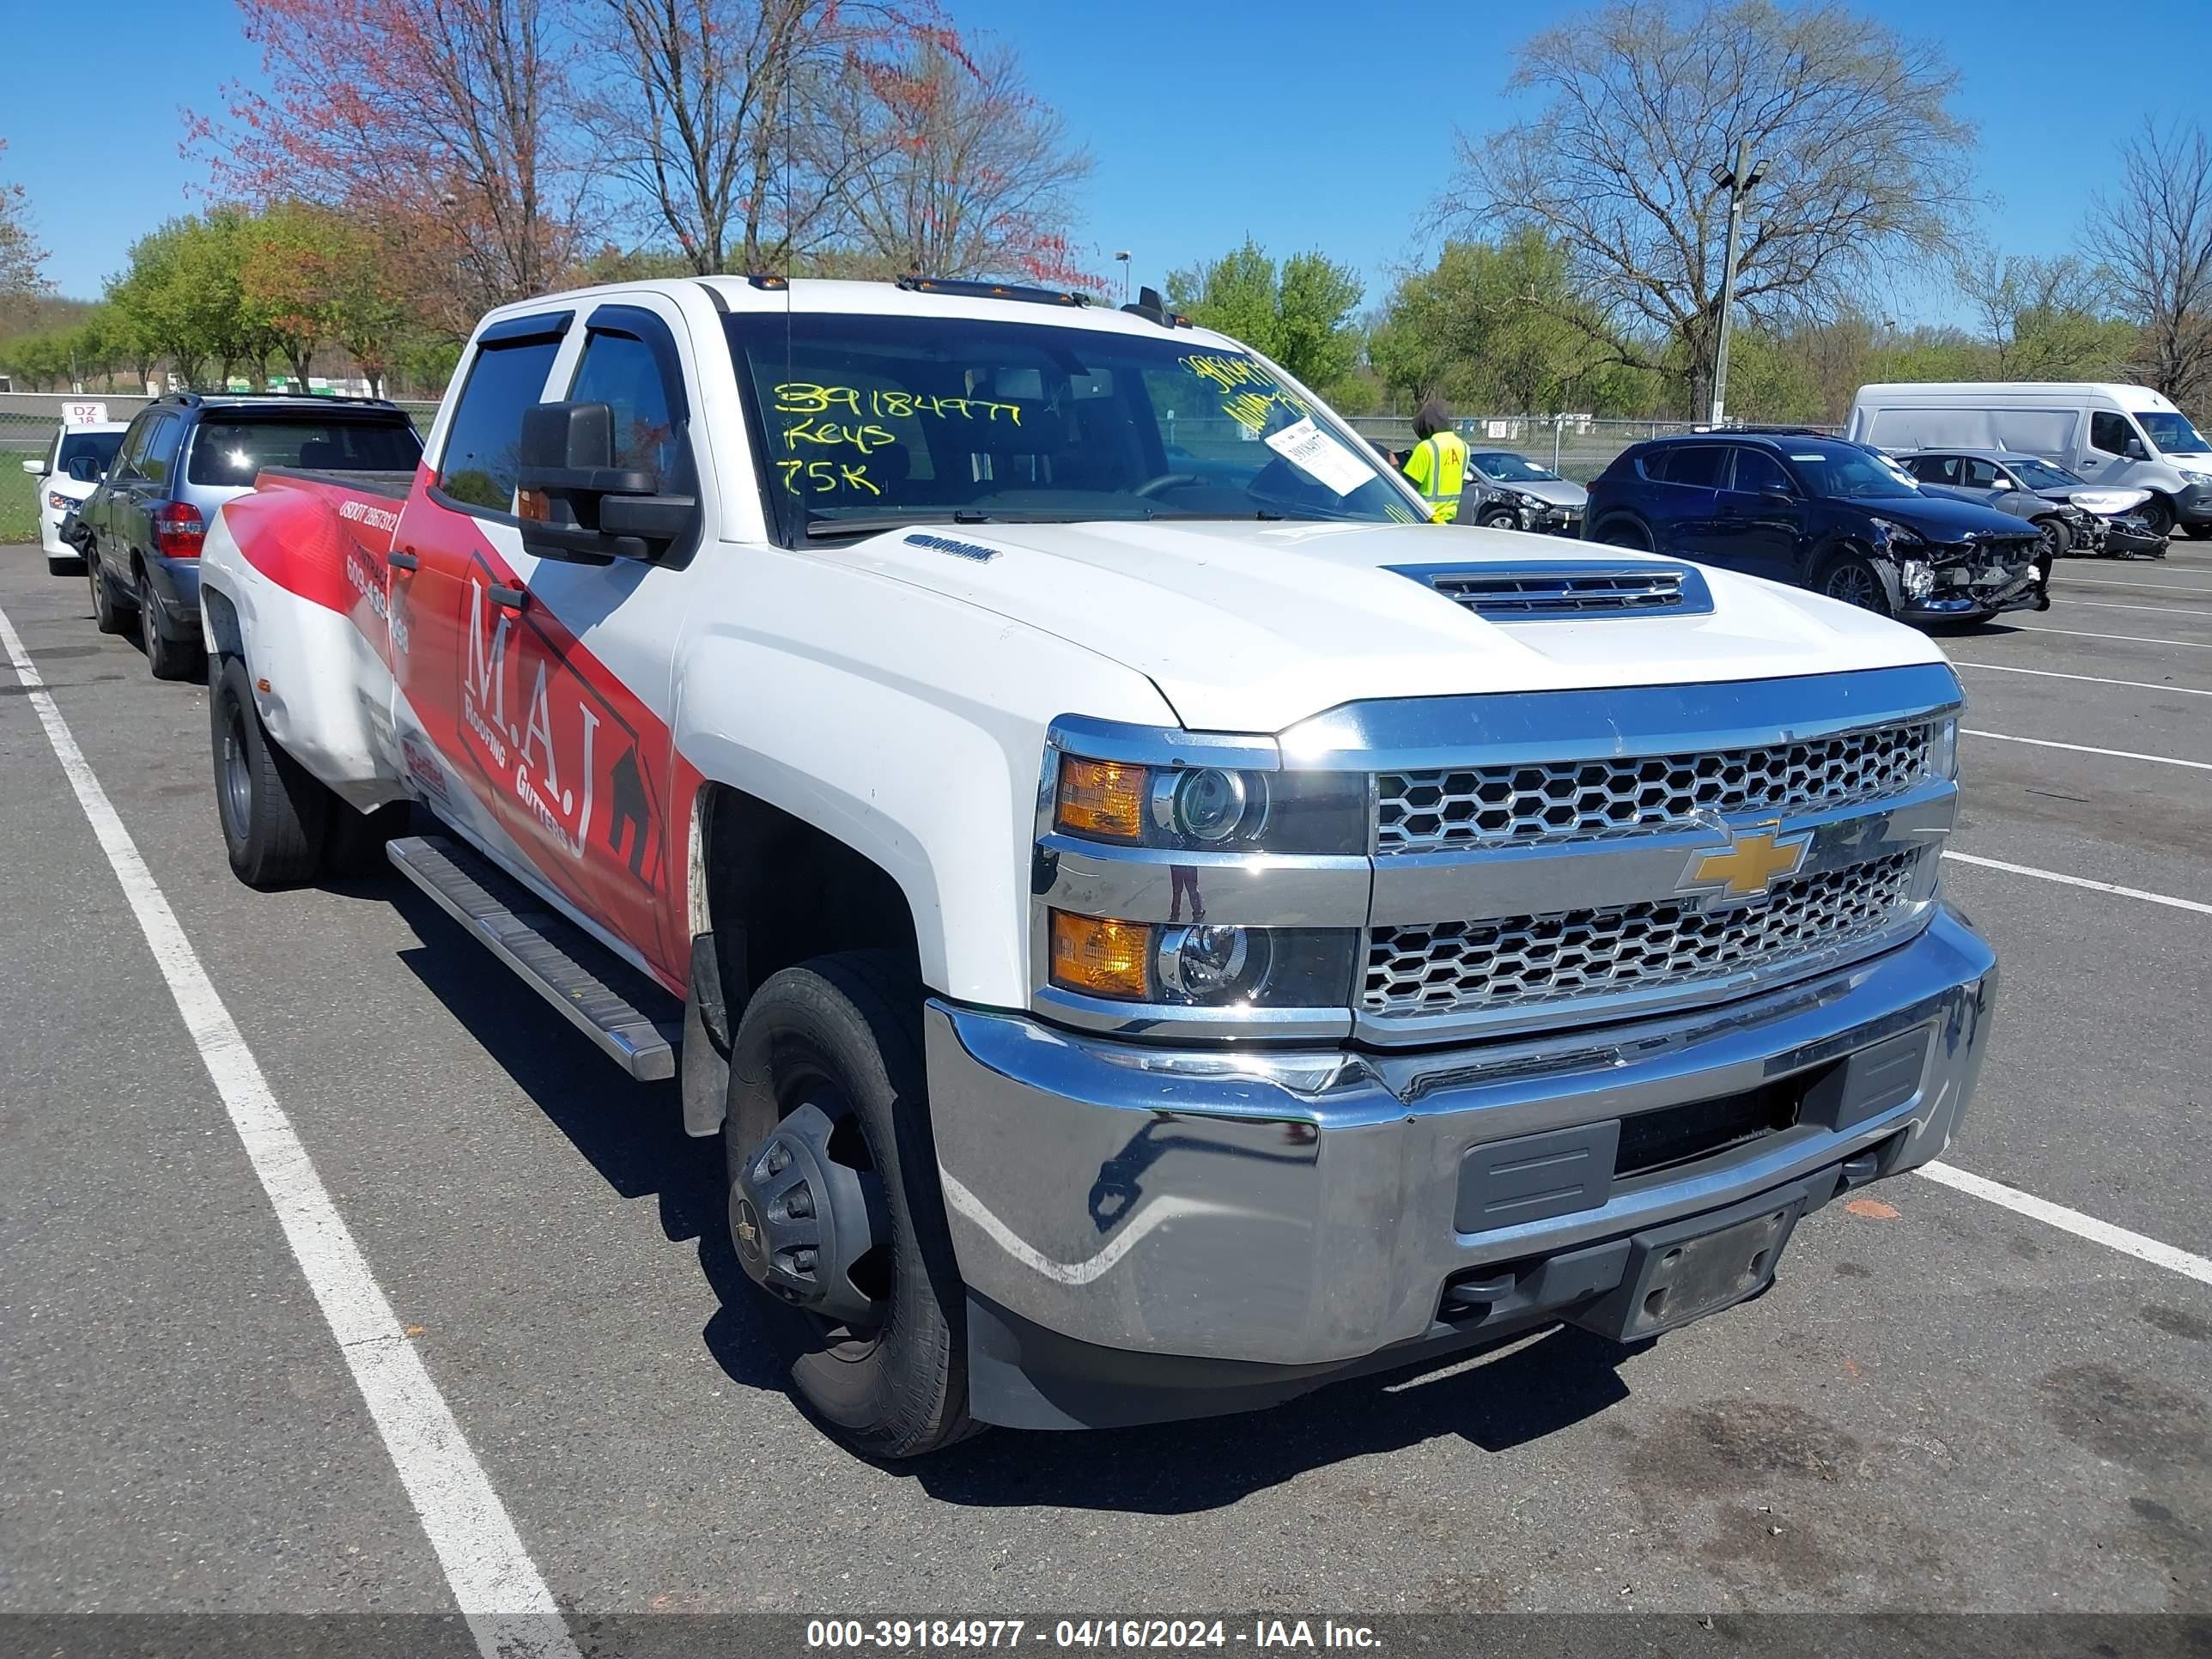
[839,1039]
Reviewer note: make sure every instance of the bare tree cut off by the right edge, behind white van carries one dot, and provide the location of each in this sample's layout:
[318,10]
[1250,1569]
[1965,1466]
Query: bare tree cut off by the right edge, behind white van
[2153,249]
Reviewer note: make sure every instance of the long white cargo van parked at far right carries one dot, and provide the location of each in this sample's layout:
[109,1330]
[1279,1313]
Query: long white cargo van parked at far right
[2109,435]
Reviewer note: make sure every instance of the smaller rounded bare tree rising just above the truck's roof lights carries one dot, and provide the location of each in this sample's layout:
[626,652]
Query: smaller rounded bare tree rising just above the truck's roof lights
[968,174]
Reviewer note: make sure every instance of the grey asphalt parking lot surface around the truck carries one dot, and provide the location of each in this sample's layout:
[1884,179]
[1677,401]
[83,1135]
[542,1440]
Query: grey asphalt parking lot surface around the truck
[1943,1406]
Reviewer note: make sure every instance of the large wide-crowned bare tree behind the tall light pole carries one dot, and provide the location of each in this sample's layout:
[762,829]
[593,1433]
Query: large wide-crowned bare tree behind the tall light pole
[1864,165]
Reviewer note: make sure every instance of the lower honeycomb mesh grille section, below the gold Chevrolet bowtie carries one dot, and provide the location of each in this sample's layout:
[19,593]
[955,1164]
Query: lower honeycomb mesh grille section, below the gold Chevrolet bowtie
[1521,961]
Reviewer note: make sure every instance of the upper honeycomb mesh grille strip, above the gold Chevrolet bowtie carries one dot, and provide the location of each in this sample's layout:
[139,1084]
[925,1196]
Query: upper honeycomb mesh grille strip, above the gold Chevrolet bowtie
[1507,806]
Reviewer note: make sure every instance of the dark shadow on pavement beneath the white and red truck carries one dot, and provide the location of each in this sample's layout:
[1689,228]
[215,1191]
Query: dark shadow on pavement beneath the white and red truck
[632,1134]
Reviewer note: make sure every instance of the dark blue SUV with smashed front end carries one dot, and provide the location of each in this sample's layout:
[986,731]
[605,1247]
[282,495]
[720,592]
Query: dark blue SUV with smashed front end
[1824,514]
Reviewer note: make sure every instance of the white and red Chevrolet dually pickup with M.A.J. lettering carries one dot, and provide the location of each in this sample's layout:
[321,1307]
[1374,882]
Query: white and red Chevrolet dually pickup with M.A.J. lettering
[1154,924]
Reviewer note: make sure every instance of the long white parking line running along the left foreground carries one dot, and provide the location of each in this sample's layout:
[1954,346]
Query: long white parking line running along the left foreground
[508,1605]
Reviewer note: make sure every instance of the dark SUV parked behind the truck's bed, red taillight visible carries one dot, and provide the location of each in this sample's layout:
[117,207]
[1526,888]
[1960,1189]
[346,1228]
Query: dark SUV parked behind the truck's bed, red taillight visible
[180,461]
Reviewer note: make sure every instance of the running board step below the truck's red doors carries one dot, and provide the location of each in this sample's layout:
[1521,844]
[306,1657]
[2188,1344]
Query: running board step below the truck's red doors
[554,957]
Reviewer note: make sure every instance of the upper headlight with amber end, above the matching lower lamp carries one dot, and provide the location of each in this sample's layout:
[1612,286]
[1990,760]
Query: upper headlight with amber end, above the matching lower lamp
[1204,808]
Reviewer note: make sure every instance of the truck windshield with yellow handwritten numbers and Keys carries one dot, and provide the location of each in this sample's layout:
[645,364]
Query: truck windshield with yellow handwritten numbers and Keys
[877,419]
